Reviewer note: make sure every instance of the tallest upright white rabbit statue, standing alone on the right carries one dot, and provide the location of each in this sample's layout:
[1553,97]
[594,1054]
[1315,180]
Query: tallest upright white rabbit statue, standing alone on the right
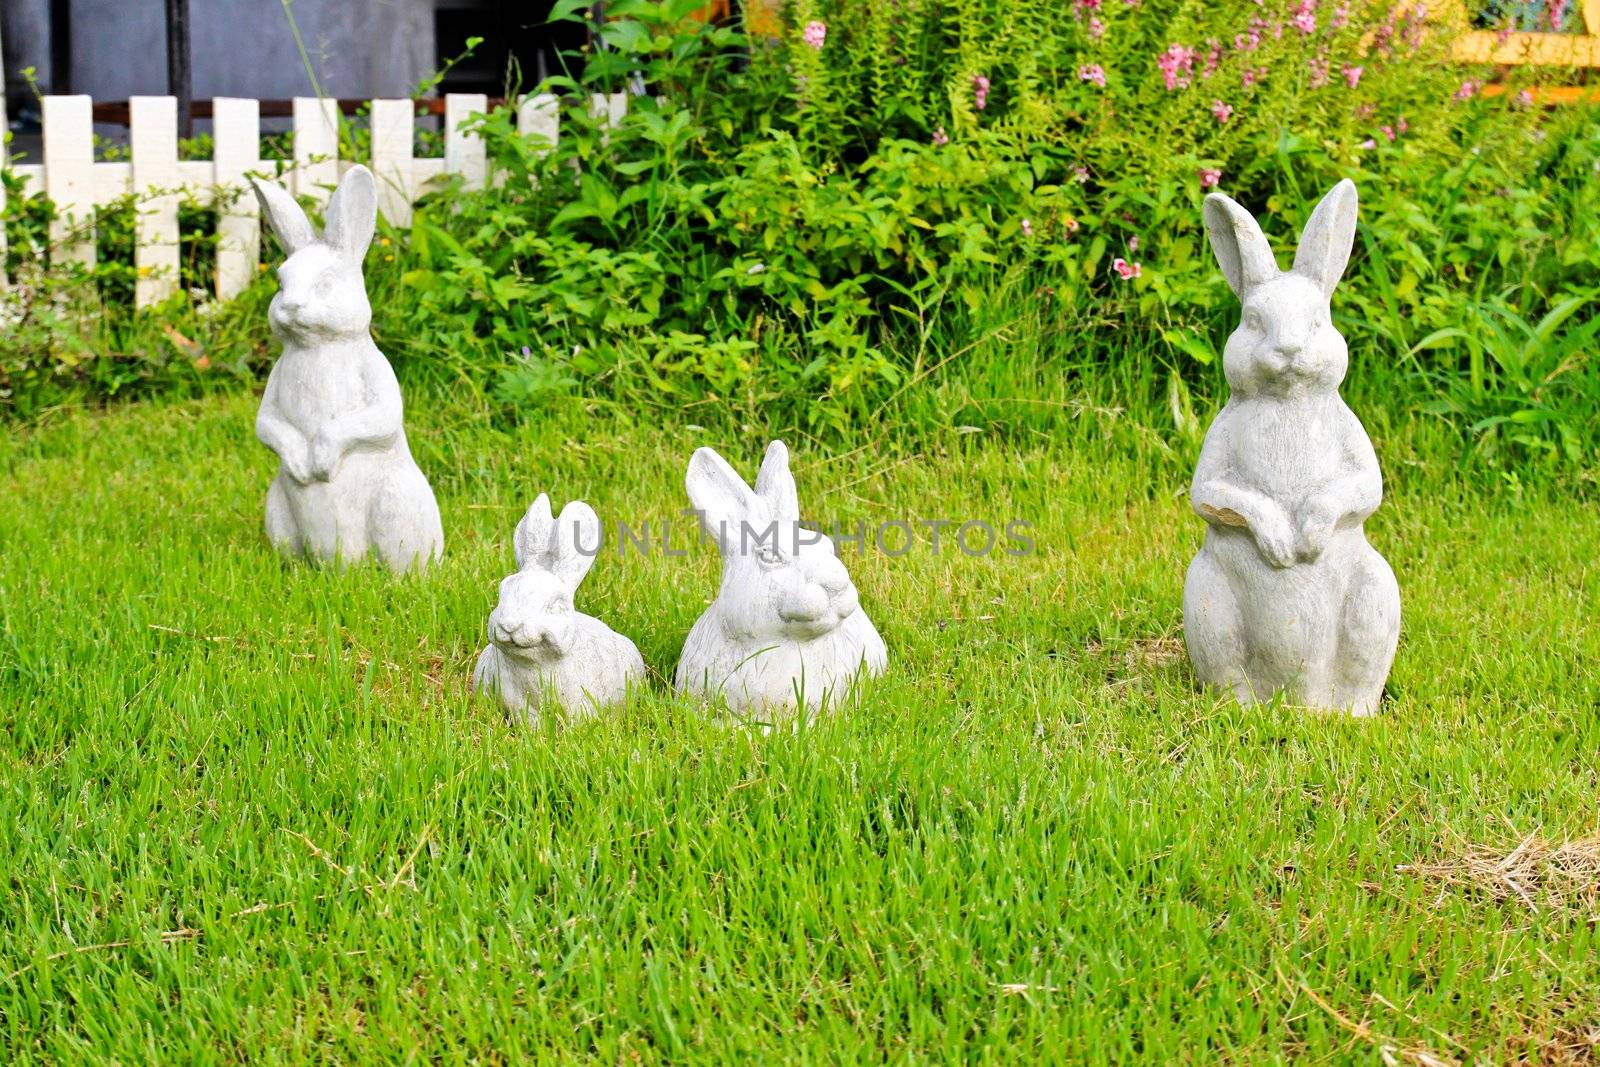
[1287,594]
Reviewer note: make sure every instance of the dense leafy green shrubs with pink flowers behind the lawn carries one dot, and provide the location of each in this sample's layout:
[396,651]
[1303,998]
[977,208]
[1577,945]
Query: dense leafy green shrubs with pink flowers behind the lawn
[804,230]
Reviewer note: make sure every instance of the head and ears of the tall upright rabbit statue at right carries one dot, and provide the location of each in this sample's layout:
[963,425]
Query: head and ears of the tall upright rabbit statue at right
[1286,342]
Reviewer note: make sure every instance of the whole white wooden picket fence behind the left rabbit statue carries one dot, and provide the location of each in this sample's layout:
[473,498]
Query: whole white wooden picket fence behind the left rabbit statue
[78,185]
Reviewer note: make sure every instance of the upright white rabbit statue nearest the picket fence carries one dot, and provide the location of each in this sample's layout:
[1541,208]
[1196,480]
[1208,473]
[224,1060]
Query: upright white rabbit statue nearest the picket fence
[332,410]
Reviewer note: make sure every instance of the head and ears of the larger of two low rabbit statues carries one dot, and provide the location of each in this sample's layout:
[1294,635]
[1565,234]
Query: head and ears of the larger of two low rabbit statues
[778,581]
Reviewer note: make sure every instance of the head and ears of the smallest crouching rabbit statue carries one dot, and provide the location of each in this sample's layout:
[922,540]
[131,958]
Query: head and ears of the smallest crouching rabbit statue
[535,620]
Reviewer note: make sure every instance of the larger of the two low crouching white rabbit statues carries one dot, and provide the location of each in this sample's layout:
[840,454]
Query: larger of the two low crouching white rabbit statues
[786,626]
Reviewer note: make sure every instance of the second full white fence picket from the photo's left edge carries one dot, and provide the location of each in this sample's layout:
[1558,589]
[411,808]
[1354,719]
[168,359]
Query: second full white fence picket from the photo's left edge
[153,126]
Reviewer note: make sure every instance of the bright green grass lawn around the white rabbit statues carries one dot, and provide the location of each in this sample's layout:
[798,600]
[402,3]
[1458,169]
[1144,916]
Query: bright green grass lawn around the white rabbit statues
[252,812]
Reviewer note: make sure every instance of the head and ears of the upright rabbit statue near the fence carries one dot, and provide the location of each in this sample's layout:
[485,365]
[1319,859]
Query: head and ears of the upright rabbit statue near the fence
[321,290]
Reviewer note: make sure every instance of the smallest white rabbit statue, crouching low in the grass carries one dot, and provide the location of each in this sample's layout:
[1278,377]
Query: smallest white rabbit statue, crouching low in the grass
[543,650]
